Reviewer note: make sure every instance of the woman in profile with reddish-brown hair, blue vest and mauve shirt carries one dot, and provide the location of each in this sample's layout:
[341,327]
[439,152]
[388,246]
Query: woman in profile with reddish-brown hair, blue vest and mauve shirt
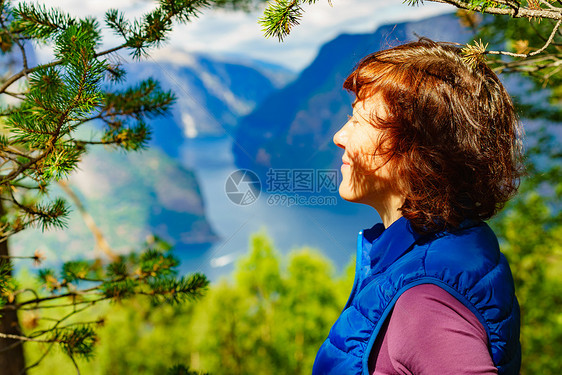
[433,145]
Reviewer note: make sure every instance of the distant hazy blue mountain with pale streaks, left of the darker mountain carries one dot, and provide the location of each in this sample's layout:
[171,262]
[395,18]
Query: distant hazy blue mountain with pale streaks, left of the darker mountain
[212,94]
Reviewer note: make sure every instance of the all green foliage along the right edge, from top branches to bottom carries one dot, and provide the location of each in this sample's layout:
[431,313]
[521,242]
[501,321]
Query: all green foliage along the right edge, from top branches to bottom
[531,226]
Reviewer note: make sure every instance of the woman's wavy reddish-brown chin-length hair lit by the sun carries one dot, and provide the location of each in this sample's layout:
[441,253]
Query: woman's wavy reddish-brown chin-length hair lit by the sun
[450,129]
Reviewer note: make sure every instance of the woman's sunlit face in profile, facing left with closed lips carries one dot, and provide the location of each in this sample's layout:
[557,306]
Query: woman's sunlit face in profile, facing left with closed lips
[367,177]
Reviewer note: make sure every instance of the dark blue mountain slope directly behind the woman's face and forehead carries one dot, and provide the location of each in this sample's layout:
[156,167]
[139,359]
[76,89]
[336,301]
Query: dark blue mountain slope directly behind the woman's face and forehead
[293,127]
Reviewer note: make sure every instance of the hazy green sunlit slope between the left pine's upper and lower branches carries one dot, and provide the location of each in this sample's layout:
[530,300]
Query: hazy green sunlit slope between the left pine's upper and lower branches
[129,196]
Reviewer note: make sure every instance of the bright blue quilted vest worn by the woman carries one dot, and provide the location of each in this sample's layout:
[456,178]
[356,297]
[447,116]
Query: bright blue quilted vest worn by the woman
[466,263]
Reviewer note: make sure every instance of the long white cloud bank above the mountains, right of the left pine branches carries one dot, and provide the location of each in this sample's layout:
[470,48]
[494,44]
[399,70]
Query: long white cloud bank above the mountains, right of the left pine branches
[221,32]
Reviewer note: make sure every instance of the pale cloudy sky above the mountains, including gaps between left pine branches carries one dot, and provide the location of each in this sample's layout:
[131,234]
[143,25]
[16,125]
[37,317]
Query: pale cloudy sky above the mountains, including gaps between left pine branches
[227,33]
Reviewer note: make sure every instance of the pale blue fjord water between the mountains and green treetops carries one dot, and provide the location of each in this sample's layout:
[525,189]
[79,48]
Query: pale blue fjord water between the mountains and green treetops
[332,229]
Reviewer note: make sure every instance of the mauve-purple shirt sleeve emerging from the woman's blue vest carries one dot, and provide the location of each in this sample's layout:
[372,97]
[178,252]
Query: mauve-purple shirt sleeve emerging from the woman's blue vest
[430,332]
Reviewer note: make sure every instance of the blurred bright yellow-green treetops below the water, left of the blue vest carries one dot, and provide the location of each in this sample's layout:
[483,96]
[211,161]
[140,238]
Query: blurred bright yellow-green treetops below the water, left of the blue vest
[269,318]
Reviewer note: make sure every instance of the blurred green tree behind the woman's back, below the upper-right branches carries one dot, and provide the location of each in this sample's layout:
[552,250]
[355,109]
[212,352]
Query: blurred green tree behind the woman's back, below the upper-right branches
[530,231]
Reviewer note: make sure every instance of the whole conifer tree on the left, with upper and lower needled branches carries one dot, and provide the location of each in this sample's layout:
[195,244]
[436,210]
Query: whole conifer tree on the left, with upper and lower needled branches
[39,146]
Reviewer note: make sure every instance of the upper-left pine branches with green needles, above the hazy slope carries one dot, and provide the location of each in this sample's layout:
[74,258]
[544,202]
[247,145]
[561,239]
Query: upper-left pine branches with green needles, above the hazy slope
[40,144]
